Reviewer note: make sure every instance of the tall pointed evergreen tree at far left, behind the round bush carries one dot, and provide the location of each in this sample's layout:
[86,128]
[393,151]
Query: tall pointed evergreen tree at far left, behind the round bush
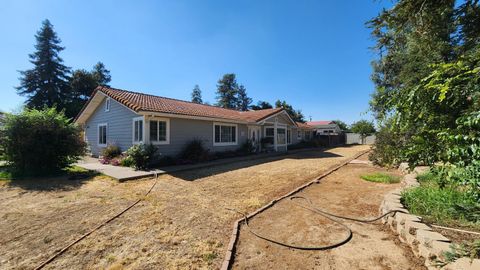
[46,84]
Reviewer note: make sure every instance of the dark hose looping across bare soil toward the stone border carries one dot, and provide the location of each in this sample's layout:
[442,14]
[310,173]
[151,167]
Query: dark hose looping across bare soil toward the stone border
[325,214]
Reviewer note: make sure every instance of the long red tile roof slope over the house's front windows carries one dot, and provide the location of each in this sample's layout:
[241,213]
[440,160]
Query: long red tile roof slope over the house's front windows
[150,103]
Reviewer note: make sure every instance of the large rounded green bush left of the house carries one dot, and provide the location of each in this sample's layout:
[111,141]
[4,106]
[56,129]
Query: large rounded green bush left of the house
[39,142]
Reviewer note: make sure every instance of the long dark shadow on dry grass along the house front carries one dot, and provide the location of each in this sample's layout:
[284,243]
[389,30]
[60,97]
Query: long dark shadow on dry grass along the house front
[199,173]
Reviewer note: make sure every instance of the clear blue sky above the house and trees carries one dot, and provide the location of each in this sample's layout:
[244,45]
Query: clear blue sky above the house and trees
[313,54]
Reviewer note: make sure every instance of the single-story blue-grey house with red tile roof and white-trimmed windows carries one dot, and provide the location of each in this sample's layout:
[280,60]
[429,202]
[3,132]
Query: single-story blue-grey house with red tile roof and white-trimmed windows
[125,118]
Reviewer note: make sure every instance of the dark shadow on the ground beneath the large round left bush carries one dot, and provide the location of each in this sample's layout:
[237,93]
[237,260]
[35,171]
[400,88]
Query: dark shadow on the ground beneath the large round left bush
[64,182]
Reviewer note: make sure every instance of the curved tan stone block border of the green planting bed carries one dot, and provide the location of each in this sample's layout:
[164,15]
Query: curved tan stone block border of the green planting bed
[424,242]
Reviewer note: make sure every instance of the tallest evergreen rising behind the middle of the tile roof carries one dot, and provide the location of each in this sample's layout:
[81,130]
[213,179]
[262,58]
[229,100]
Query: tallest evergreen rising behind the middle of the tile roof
[227,89]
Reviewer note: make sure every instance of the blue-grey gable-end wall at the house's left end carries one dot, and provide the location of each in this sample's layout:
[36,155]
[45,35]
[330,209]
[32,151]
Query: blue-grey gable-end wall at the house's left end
[119,126]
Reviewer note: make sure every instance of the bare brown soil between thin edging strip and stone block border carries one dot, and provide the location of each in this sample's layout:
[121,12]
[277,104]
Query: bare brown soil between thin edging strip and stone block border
[344,193]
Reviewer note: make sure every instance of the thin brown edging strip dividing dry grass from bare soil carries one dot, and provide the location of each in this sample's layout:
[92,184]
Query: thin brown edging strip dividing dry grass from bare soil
[229,255]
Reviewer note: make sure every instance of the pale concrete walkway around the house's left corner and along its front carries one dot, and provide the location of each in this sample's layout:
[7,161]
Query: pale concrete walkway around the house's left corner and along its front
[126,173]
